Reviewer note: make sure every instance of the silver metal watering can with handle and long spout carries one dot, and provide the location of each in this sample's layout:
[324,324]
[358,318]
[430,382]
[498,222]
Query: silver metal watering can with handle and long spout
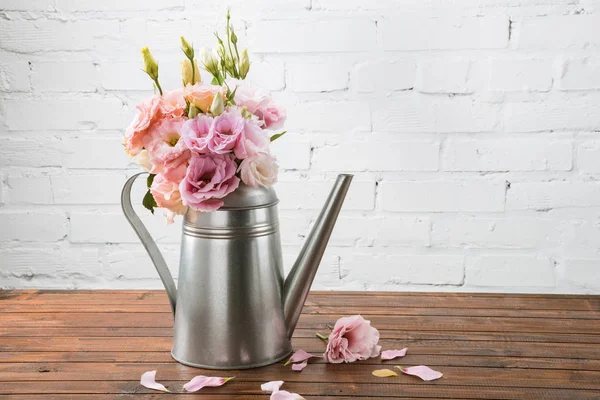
[233,308]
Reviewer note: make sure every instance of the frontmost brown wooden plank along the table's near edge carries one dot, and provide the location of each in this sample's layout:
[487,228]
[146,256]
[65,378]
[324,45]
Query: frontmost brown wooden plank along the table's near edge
[430,390]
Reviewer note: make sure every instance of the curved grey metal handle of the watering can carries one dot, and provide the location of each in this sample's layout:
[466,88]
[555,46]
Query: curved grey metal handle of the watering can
[148,242]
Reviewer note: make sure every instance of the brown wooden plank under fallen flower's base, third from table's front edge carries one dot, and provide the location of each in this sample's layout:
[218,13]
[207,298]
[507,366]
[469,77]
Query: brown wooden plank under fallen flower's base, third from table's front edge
[411,359]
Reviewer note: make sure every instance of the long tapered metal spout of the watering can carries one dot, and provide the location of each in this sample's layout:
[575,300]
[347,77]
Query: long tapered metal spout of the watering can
[300,278]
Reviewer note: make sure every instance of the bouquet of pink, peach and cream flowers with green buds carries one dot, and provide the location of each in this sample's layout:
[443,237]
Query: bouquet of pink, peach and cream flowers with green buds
[199,141]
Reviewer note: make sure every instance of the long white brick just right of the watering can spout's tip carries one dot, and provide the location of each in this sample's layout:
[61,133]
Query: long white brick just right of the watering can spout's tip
[443,196]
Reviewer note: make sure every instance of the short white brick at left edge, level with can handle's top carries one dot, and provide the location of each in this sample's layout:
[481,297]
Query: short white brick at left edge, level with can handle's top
[30,190]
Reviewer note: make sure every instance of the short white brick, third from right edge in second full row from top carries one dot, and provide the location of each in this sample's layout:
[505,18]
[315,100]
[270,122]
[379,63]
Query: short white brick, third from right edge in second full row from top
[444,76]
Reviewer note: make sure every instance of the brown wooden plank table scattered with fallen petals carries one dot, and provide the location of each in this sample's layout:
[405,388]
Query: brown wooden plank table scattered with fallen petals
[96,344]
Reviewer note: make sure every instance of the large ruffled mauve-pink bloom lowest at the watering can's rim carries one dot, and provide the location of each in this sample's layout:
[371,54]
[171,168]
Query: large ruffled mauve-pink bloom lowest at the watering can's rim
[209,178]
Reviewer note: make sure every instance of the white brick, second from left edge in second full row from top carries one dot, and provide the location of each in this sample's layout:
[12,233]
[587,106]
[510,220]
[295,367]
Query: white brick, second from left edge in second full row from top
[65,76]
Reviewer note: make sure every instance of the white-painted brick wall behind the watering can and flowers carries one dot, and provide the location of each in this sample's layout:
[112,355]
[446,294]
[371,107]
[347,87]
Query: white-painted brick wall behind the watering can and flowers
[471,126]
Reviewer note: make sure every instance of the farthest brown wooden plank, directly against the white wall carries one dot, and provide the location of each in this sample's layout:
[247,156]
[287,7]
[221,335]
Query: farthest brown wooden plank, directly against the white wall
[342,299]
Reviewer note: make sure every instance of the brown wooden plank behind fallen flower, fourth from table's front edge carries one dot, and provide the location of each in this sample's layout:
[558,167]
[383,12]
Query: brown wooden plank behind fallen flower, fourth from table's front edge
[439,347]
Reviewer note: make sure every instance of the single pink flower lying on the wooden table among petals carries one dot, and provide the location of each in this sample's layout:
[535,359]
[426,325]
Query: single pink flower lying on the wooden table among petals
[353,338]
